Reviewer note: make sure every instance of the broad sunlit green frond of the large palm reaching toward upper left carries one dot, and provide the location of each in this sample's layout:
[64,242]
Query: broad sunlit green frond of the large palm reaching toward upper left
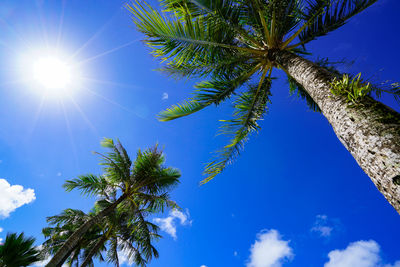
[182,41]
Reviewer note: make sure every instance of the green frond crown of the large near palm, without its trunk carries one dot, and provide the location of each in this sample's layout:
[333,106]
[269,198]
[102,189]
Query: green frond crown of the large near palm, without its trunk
[234,45]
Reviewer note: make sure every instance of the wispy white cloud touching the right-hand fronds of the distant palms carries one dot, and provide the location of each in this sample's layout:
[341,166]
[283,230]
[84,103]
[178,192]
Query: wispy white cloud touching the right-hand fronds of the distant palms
[168,224]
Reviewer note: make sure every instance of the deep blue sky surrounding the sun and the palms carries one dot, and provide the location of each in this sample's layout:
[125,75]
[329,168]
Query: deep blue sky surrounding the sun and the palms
[295,196]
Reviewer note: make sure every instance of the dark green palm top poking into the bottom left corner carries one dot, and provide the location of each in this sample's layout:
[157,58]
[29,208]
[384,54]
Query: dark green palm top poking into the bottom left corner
[18,250]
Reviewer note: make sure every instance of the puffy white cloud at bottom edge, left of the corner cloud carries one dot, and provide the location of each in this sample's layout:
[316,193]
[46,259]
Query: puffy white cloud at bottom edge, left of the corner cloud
[269,250]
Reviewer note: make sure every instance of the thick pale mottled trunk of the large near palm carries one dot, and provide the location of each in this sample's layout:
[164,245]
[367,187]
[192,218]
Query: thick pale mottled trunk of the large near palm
[369,130]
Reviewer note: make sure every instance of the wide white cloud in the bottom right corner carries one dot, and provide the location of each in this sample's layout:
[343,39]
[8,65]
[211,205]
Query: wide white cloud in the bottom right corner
[361,254]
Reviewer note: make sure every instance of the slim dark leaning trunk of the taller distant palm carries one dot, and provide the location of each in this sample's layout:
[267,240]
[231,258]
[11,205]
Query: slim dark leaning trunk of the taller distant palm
[77,235]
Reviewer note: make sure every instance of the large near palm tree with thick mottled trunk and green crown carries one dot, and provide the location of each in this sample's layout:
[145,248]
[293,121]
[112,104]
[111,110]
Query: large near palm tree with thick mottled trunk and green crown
[235,45]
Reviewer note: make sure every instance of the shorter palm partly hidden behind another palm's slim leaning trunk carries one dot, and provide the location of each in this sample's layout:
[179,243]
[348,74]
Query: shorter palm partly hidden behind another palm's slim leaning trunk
[123,230]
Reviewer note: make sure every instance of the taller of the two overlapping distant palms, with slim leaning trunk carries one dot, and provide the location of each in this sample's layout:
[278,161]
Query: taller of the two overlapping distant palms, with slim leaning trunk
[139,185]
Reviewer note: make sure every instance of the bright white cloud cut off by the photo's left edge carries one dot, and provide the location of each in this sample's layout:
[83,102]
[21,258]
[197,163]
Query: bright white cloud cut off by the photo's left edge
[13,197]
